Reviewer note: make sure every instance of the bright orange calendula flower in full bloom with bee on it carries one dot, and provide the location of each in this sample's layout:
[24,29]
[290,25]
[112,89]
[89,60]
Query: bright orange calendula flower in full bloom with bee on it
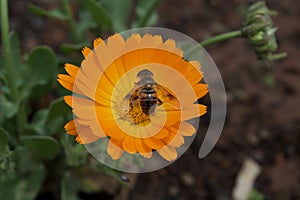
[138,92]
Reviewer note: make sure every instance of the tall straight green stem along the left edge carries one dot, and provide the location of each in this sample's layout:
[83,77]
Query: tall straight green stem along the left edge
[7,52]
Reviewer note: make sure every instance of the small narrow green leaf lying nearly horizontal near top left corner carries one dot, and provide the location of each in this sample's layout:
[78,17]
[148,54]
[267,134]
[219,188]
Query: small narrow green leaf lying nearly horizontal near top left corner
[55,13]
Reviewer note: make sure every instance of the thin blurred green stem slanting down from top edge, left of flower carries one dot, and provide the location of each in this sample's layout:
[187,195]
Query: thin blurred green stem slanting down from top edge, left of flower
[71,21]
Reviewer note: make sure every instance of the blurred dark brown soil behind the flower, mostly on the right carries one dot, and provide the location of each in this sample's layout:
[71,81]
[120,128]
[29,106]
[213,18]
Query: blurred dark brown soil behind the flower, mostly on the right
[263,104]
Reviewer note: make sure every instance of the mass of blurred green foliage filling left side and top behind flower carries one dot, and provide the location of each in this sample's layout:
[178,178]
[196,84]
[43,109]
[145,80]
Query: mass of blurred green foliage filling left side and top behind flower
[33,142]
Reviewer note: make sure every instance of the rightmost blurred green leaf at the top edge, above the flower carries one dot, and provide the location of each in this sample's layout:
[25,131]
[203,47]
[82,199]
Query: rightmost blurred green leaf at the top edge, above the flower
[146,13]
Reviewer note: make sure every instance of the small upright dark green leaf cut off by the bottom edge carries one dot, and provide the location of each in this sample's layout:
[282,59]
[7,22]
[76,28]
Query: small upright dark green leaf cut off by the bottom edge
[69,188]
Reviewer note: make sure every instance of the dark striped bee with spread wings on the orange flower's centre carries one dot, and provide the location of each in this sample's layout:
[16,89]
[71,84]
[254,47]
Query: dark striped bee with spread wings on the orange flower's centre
[146,95]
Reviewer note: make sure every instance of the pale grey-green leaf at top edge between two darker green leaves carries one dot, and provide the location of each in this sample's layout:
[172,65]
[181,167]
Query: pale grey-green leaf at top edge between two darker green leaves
[119,13]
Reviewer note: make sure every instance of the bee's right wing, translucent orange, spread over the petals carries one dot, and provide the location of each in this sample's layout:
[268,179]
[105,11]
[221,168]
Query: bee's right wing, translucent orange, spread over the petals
[166,96]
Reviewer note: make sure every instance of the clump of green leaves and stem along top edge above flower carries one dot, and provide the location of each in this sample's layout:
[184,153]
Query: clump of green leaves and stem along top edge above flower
[100,16]
